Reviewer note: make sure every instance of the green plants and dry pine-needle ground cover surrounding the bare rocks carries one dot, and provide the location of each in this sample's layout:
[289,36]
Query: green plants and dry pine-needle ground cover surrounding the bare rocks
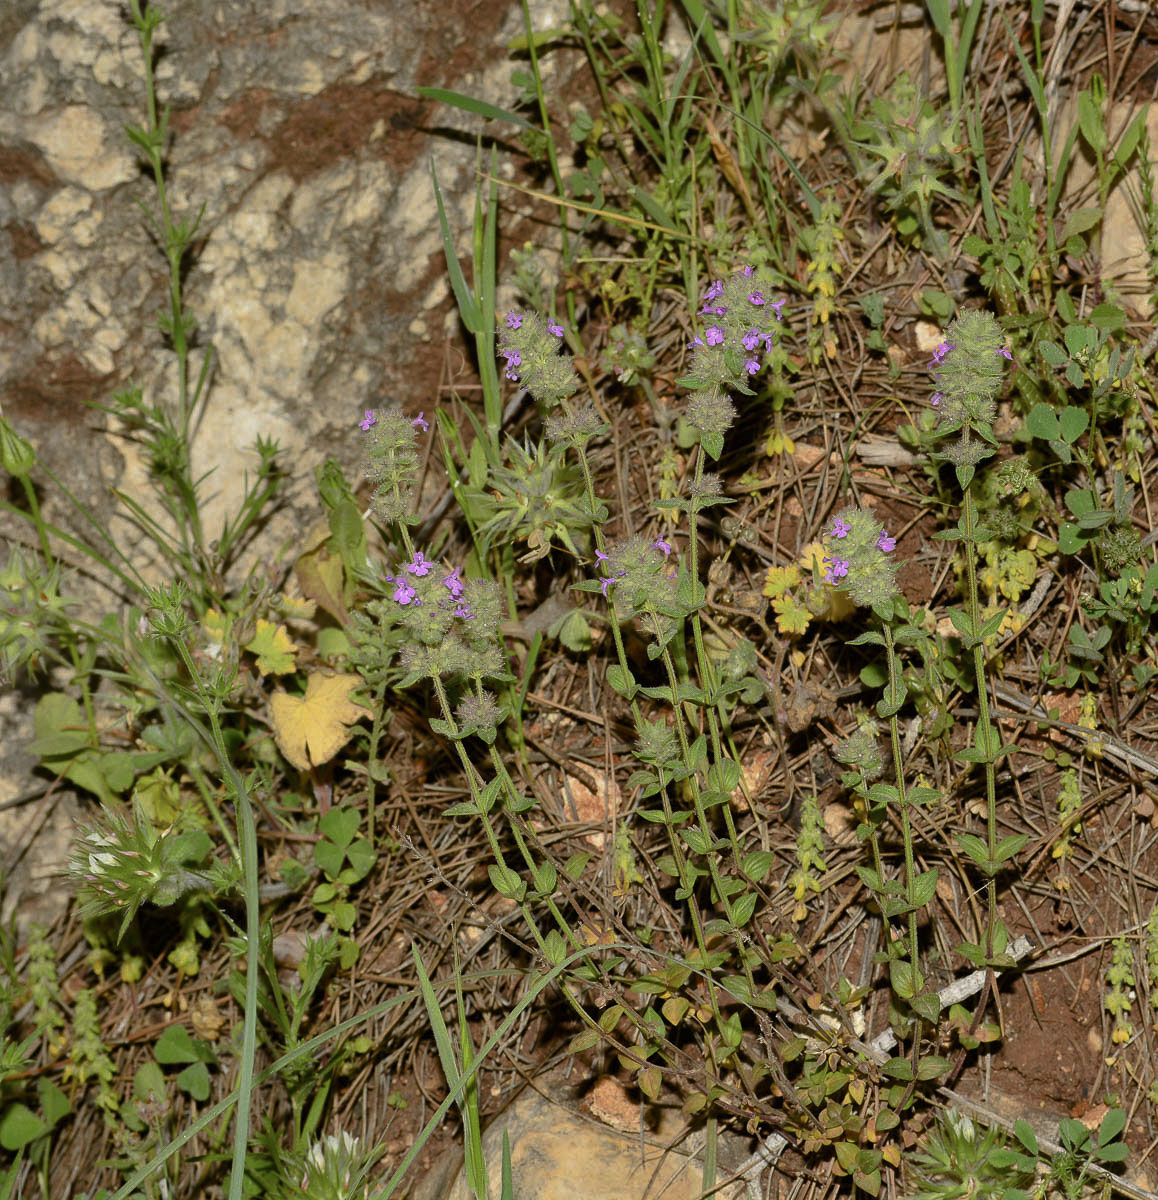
[778,657]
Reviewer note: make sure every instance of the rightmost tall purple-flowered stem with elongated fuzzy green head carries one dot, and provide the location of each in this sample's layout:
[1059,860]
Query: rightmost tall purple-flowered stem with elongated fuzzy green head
[969,370]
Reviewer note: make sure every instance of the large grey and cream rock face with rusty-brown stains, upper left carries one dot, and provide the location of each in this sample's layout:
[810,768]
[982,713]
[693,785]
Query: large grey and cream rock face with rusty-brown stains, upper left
[319,277]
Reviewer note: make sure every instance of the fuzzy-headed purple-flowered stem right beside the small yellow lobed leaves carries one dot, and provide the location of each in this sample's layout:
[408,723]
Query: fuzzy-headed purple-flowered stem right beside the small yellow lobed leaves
[860,561]
